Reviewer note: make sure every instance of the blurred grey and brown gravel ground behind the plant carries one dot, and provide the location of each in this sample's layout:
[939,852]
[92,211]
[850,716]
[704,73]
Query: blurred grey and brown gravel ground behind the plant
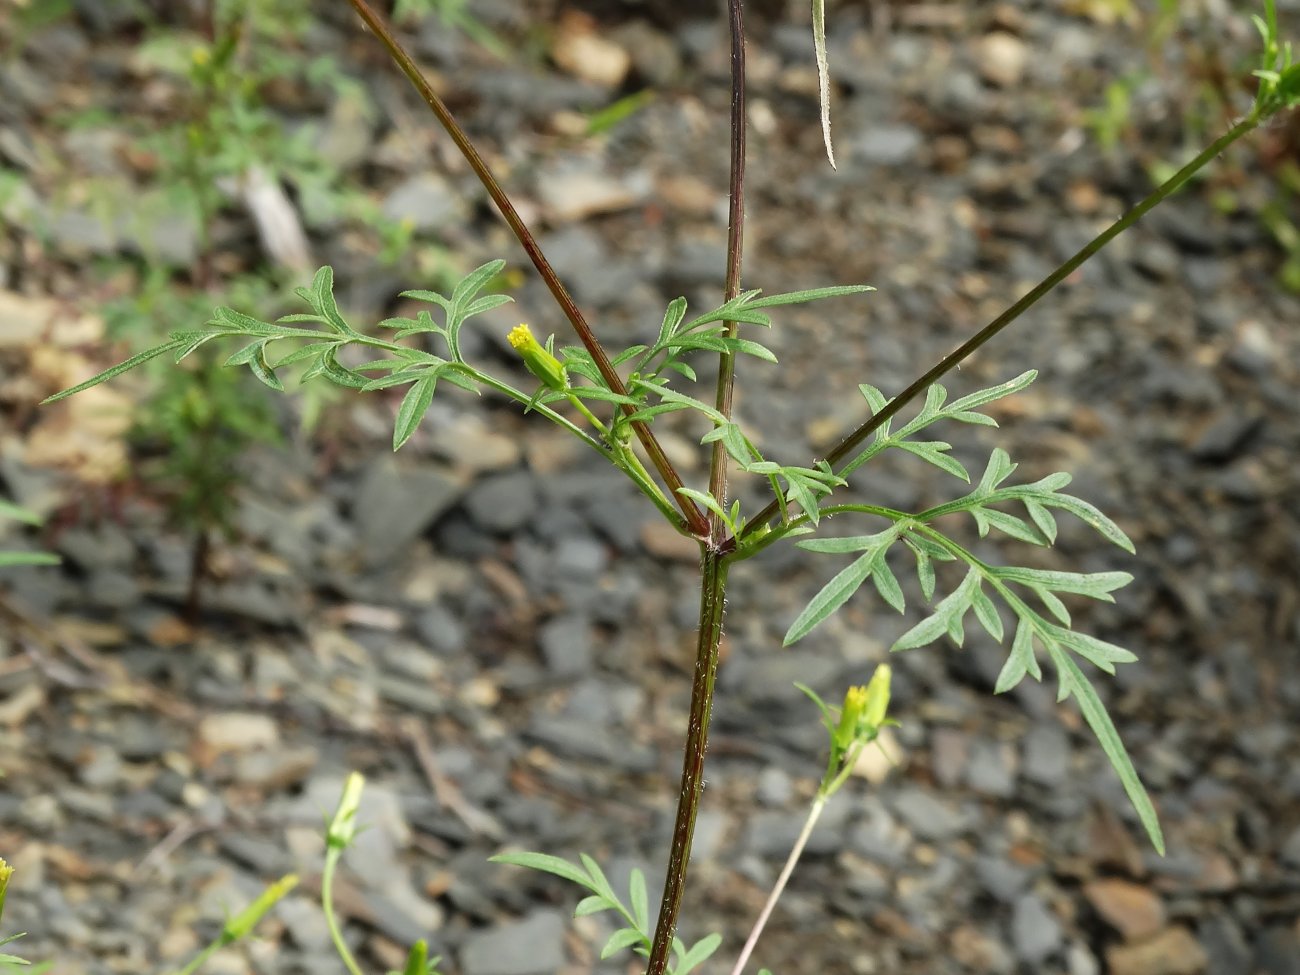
[493,629]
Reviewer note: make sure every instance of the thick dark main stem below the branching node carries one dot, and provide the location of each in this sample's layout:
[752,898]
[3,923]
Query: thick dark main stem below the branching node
[712,603]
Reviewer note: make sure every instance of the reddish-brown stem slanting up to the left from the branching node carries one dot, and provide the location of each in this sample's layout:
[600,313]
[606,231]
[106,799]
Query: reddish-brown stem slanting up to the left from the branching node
[695,521]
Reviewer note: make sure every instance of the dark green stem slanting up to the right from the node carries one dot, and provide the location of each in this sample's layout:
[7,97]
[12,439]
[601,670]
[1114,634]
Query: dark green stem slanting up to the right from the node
[957,357]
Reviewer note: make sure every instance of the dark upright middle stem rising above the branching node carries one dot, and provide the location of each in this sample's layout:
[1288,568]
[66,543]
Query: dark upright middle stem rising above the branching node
[735,250]
